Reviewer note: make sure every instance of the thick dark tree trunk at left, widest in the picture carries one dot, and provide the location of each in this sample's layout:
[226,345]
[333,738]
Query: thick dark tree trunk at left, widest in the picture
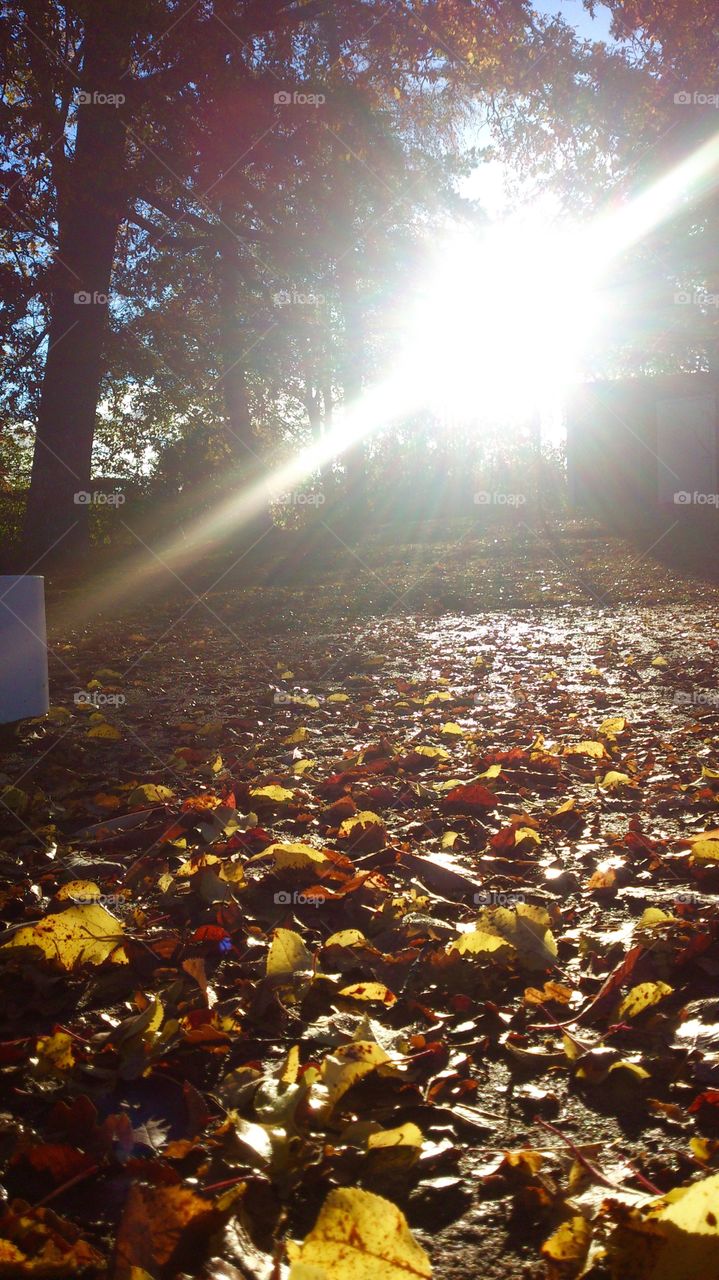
[91,204]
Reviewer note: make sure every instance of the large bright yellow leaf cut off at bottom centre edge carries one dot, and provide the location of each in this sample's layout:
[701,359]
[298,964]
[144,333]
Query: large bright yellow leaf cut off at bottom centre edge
[359,1236]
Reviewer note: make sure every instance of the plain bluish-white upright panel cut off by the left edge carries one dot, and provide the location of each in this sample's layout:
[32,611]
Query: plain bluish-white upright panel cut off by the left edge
[24,648]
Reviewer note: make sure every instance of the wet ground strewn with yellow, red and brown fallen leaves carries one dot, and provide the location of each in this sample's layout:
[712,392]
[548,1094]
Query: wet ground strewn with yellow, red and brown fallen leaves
[409,843]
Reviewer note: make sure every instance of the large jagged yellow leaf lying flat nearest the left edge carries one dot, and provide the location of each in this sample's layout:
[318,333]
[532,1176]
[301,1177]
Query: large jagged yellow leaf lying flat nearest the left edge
[83,935]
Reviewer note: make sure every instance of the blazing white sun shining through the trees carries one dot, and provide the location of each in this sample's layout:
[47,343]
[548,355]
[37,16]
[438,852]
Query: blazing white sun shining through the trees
[498,327]
